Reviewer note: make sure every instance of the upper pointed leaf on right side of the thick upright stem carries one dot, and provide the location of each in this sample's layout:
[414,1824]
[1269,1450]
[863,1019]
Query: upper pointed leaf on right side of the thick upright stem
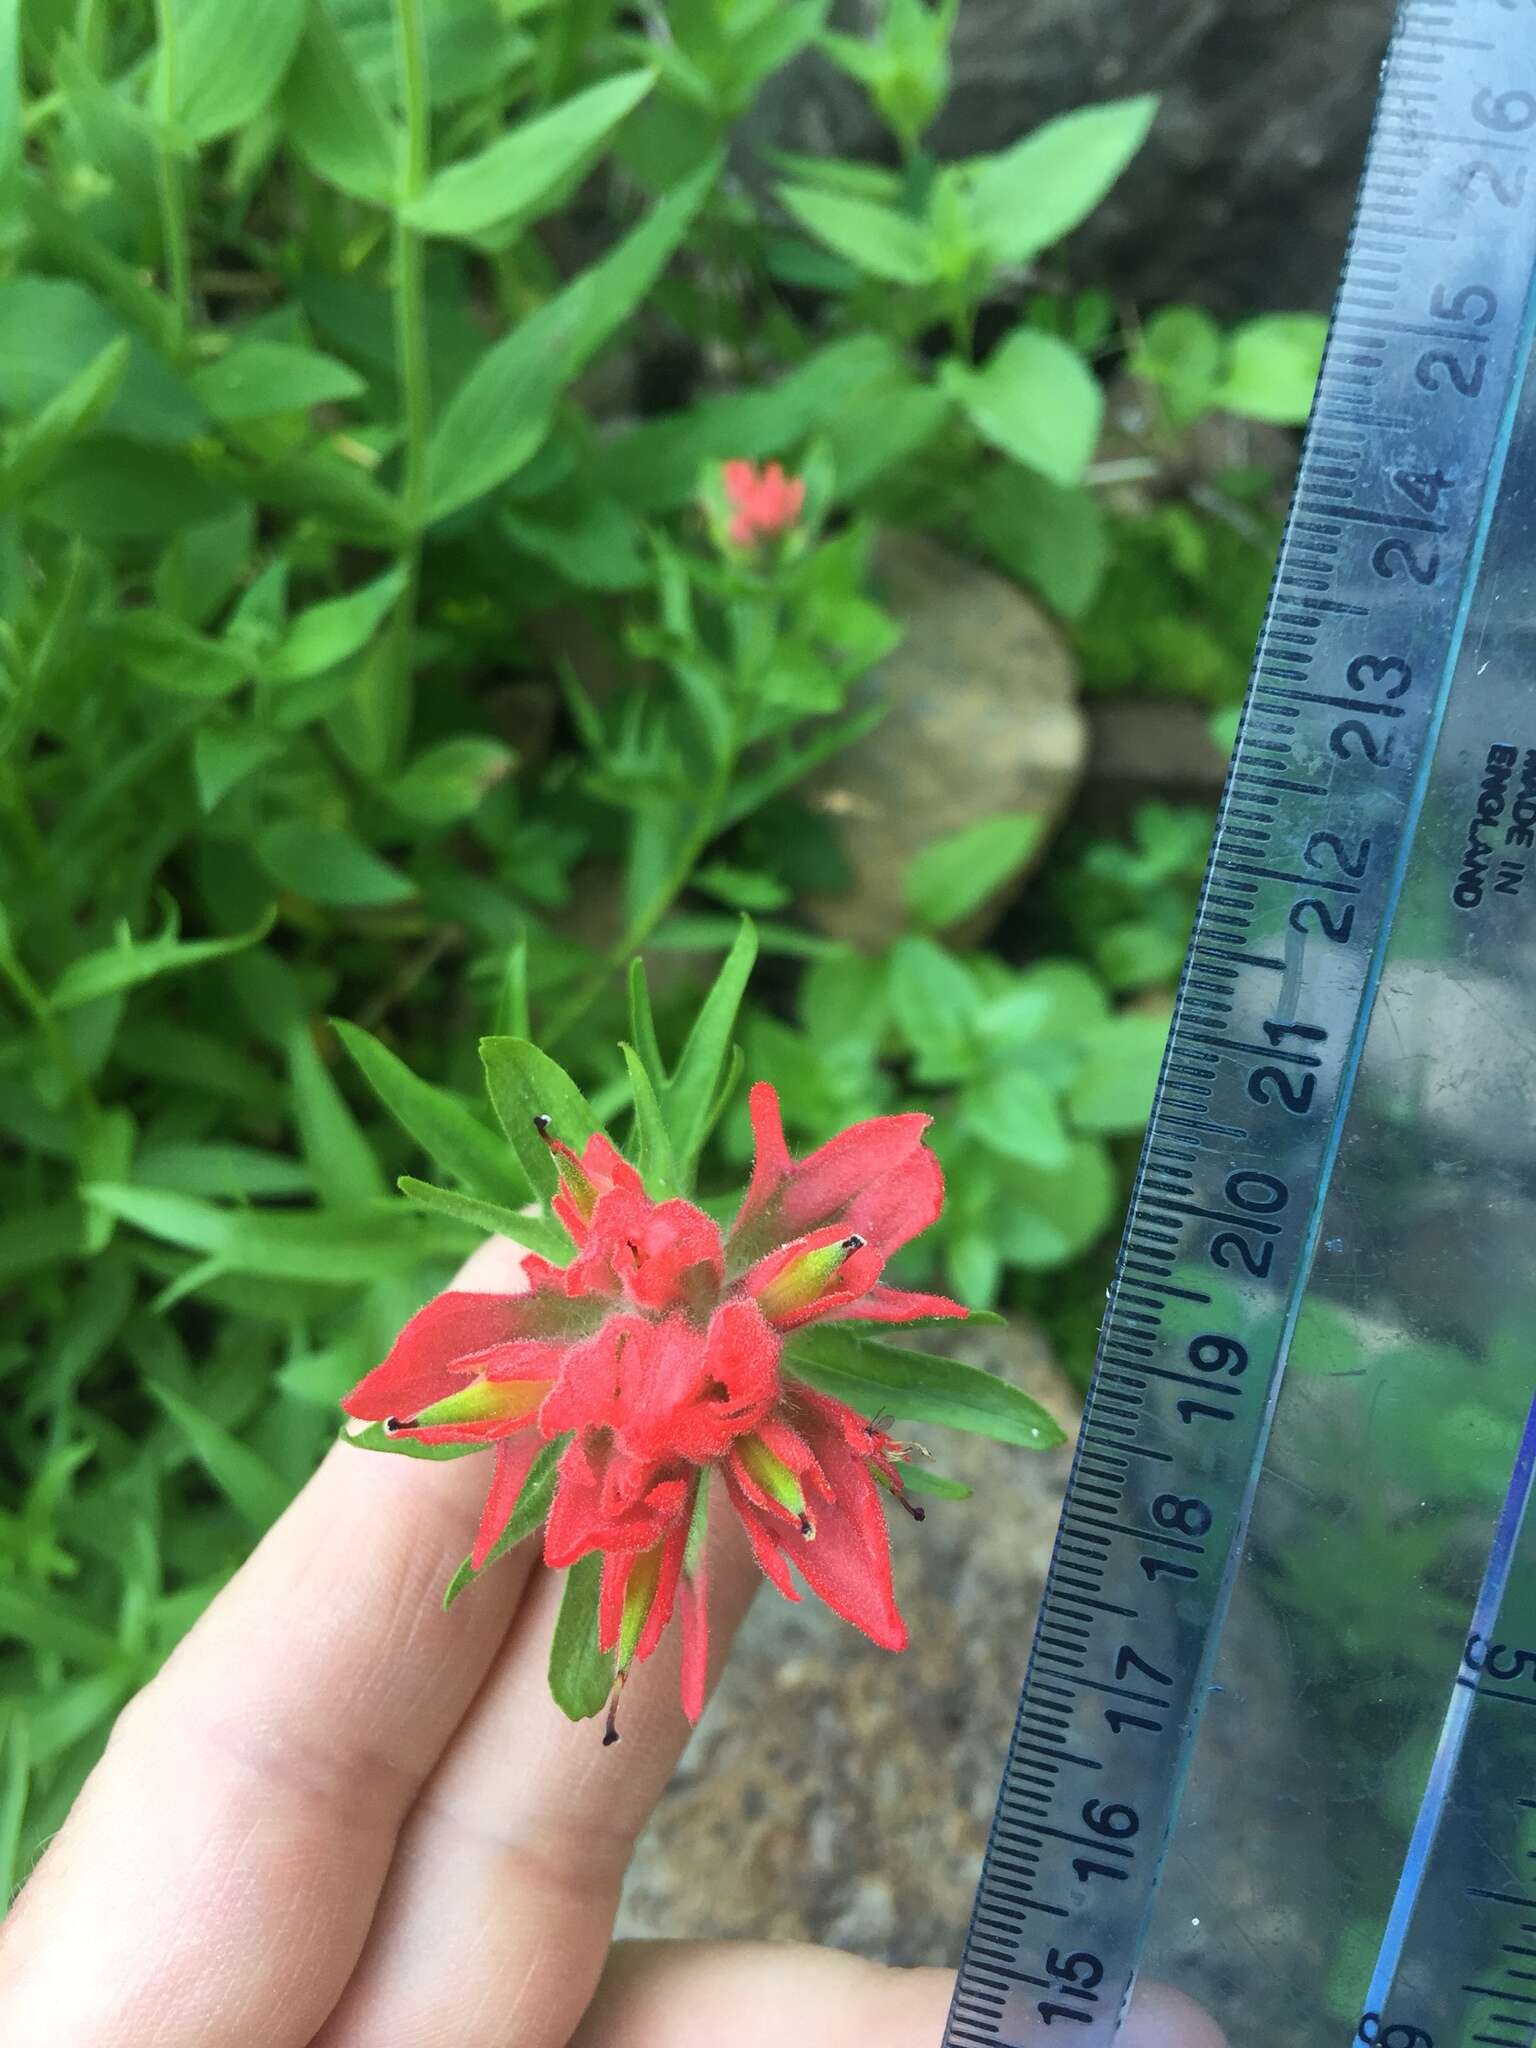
[527,169]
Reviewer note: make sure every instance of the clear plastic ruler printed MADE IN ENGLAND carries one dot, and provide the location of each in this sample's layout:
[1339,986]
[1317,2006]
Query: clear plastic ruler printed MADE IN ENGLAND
[1277,1744]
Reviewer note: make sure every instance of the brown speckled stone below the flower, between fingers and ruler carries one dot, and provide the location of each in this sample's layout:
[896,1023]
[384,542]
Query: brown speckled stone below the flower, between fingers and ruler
[837,1793]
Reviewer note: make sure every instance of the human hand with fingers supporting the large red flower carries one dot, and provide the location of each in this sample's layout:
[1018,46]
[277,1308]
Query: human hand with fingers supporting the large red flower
[347,1820]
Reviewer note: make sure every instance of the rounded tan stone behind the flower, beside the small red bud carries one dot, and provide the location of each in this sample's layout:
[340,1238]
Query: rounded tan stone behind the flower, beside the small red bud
[982,718]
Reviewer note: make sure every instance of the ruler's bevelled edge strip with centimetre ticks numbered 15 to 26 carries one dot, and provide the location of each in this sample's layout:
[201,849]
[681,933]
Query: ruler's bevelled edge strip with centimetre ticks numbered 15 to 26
[1369,605]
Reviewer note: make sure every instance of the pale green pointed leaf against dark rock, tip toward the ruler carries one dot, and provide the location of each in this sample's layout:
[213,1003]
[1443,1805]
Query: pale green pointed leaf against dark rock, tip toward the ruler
[1031,196]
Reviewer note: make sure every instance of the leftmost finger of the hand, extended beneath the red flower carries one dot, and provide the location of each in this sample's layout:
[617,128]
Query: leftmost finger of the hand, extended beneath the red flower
[220,1871]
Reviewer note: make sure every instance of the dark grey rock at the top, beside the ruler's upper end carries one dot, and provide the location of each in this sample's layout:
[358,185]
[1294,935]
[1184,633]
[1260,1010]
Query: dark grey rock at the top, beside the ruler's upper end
[1244,191]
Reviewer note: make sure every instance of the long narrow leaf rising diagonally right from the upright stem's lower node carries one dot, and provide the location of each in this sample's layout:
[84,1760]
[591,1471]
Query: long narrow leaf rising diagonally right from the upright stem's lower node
[501,415]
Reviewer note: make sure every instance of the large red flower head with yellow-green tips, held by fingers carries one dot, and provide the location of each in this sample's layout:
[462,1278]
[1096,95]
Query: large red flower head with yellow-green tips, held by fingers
[658,1357]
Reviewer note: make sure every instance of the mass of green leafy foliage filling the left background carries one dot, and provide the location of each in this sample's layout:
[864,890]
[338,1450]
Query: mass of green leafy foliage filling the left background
[374,644]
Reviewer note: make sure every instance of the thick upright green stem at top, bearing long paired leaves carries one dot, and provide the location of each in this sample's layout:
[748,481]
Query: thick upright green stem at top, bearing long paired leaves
[411,339]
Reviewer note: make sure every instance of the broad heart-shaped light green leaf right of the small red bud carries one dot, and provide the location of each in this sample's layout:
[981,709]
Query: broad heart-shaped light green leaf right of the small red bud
[1035,400]
